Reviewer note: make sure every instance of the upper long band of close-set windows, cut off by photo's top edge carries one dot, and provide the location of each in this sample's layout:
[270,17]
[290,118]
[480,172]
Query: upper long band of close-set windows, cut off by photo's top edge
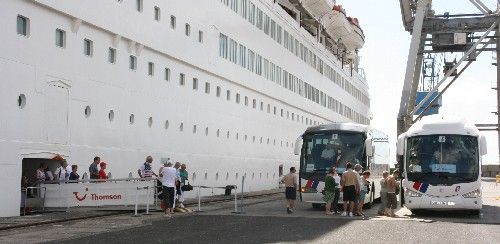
[262,21]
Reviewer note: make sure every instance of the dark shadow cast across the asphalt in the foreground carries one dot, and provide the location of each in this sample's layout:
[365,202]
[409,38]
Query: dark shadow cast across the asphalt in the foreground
[222,229]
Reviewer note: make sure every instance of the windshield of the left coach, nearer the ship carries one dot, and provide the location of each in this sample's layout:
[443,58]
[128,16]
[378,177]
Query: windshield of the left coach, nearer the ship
[334,148]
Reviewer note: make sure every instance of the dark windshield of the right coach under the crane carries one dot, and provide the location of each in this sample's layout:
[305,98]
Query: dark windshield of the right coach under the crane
[442,159]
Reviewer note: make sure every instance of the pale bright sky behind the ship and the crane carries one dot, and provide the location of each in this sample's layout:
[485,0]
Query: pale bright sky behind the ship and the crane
[384,60]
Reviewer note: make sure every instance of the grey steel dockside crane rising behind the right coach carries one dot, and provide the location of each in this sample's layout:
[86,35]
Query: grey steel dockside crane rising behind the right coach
[466,34]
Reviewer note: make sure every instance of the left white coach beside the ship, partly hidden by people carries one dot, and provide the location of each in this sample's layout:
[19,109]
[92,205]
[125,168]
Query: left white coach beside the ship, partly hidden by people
[324,146]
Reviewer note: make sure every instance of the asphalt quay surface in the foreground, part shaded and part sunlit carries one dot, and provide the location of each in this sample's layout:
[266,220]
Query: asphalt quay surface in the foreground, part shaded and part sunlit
[260,229]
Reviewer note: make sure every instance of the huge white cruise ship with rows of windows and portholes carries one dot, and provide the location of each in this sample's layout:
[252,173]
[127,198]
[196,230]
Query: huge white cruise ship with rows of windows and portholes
[225,86]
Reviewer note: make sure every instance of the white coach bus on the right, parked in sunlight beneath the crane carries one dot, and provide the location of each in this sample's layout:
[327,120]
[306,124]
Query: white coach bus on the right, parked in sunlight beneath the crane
[441,164]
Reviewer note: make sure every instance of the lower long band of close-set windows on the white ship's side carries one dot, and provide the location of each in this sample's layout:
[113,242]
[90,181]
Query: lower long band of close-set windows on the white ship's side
[239,54]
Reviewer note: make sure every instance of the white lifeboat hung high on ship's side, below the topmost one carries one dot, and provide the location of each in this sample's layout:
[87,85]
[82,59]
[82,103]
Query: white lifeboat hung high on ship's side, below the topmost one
[336,23]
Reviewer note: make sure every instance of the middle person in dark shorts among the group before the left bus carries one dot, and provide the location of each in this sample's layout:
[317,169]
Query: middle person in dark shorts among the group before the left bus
[350,187]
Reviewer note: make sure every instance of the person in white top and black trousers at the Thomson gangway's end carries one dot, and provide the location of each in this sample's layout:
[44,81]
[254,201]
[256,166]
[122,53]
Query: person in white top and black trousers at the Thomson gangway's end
[169,178]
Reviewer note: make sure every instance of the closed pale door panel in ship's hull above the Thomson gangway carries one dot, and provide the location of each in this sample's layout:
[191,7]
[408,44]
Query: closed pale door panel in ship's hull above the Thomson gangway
[56,113]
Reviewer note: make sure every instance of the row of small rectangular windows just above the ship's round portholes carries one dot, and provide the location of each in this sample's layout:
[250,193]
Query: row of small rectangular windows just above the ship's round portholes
[133,61]
